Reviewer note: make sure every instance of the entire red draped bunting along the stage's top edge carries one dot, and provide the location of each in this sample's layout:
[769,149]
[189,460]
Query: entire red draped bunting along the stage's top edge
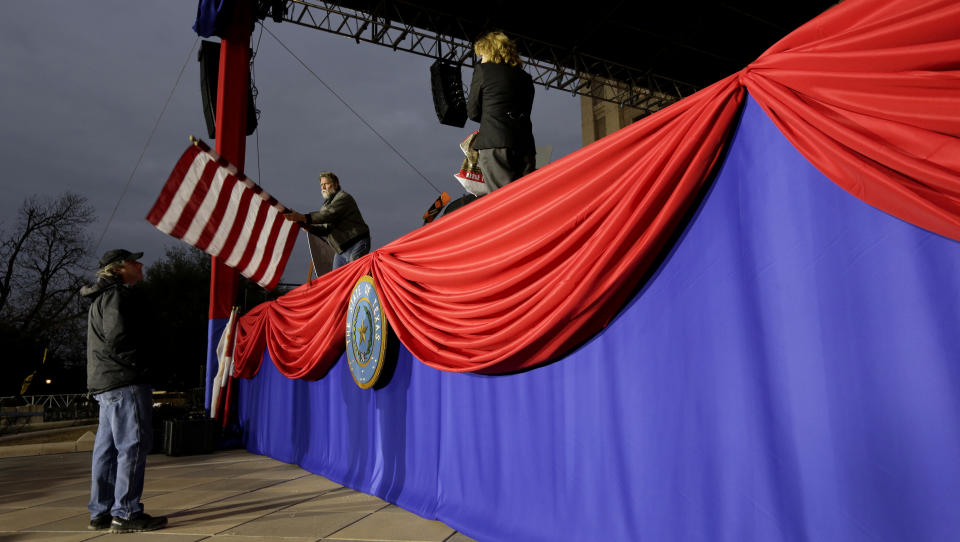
[868,92]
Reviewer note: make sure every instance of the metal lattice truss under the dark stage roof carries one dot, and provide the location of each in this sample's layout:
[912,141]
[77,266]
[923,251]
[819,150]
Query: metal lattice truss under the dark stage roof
[386,24]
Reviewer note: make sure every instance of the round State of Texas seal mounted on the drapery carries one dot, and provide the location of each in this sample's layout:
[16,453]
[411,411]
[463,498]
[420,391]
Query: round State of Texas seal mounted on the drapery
[366,333]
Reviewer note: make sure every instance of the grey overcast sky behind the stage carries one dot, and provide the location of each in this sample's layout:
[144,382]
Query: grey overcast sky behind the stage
[83,84]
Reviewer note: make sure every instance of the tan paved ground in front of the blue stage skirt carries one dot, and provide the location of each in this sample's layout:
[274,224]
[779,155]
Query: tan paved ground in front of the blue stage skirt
[229,495]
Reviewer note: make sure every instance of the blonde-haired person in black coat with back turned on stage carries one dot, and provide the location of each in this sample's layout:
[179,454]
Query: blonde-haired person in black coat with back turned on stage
[501,98]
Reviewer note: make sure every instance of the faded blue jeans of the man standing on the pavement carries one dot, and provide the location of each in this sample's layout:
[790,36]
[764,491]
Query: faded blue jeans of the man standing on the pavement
[124,438]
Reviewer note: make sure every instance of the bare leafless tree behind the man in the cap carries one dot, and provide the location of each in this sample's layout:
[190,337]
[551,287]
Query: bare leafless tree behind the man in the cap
[43,262]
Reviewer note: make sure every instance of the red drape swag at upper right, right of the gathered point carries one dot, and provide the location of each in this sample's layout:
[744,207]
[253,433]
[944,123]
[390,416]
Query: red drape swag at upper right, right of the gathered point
[869,93]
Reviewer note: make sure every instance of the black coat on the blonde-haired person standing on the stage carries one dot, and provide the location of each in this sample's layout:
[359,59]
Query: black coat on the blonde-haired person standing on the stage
[501,98]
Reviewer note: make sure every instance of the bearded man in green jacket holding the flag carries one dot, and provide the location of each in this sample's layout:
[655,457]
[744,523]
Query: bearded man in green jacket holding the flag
[338,221]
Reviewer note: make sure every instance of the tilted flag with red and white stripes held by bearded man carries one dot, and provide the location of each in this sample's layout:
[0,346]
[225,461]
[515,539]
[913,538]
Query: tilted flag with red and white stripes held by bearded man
[209,205]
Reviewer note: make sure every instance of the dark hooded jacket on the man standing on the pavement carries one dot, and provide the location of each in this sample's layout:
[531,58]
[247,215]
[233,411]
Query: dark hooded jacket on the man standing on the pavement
[115,333]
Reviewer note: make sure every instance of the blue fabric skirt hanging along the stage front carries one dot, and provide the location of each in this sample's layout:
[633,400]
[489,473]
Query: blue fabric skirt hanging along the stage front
[789,373]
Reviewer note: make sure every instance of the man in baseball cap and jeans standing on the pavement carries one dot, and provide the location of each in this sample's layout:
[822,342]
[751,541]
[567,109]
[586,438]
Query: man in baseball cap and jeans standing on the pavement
[117,379]
